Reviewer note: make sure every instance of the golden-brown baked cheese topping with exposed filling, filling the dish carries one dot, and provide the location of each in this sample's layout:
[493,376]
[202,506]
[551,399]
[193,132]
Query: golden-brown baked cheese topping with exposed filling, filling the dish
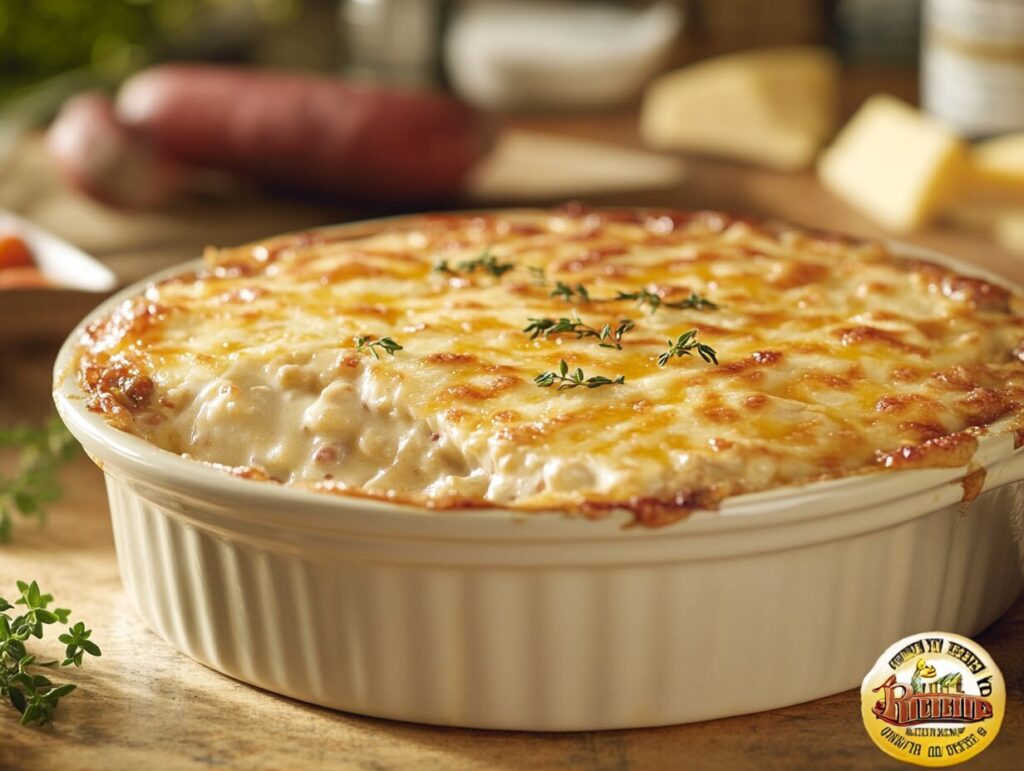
[836,358]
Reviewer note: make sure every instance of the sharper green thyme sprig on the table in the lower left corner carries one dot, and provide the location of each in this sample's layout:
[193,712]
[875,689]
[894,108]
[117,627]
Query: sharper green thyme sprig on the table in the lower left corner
[34,696]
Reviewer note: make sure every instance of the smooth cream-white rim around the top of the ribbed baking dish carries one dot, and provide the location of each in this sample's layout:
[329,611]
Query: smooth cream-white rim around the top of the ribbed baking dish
[244,499]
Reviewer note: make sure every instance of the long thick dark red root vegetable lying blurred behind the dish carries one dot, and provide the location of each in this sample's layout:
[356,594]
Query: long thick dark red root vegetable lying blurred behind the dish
[306,133]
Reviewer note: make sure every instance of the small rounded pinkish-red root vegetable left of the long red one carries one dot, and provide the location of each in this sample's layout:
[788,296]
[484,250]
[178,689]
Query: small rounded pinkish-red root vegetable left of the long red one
[108,161]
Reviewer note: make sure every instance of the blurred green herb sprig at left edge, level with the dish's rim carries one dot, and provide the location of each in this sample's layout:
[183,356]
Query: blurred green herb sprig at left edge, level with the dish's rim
[44,451]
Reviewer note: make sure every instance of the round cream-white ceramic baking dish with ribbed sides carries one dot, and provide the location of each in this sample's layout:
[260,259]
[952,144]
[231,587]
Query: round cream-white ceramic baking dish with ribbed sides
[497,620]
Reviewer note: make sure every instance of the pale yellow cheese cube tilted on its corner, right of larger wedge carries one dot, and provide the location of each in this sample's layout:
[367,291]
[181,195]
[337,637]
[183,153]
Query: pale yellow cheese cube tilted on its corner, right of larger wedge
[894,164]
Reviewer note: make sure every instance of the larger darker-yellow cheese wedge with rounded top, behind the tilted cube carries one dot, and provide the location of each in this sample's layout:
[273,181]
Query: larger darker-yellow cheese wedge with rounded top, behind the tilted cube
[774,107]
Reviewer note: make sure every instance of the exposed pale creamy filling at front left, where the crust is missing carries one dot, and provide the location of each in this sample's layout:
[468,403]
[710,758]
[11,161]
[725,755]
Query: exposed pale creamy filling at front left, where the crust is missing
[278,417]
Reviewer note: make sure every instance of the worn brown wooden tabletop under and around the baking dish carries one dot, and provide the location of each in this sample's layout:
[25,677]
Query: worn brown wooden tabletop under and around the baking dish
[146,706]
